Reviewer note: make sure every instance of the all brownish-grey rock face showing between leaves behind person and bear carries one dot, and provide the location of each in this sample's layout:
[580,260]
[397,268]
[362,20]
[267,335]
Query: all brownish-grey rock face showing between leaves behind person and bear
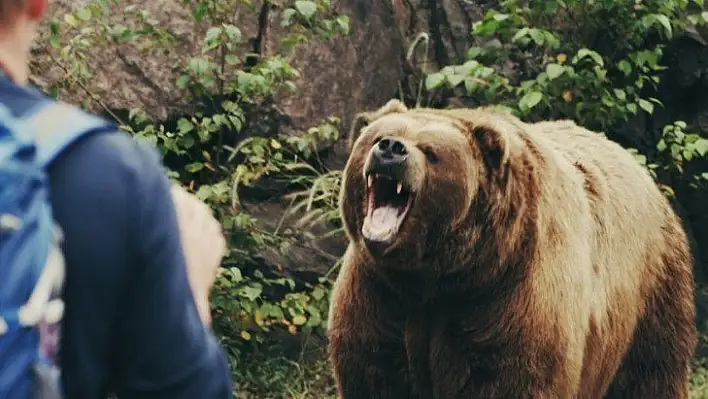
[337,77]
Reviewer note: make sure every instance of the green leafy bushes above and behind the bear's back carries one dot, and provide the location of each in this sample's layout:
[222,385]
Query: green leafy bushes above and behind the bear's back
[551,61]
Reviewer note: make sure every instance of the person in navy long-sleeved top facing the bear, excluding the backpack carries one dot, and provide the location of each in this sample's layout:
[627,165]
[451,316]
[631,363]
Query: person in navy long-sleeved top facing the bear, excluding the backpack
[131,325]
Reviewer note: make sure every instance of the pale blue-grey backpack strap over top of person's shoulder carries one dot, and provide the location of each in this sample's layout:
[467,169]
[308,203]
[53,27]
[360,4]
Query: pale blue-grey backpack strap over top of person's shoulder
[57,125]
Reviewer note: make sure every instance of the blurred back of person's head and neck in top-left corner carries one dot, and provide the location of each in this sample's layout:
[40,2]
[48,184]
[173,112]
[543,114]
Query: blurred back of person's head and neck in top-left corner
[18,24]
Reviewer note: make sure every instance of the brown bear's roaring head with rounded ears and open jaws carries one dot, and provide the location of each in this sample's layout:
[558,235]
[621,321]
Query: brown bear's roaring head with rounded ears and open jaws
[415,177]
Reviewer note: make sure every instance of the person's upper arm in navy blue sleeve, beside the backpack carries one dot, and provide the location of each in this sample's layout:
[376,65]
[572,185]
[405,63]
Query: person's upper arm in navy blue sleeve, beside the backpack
[131,325]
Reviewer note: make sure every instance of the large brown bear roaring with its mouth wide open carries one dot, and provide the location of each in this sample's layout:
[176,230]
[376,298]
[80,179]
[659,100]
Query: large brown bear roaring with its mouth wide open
[492,258]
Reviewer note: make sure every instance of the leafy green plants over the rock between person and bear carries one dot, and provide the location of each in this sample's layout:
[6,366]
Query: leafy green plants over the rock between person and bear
[228,82]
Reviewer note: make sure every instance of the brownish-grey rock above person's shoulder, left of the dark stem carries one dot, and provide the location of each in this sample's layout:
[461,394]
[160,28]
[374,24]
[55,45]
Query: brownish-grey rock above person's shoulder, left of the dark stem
[125,76]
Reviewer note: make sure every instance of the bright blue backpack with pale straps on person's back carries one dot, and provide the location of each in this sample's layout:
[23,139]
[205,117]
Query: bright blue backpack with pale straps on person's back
[31,261]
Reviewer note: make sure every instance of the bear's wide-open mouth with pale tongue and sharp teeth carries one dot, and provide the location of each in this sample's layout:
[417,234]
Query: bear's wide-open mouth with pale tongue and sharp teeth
[387,204]
